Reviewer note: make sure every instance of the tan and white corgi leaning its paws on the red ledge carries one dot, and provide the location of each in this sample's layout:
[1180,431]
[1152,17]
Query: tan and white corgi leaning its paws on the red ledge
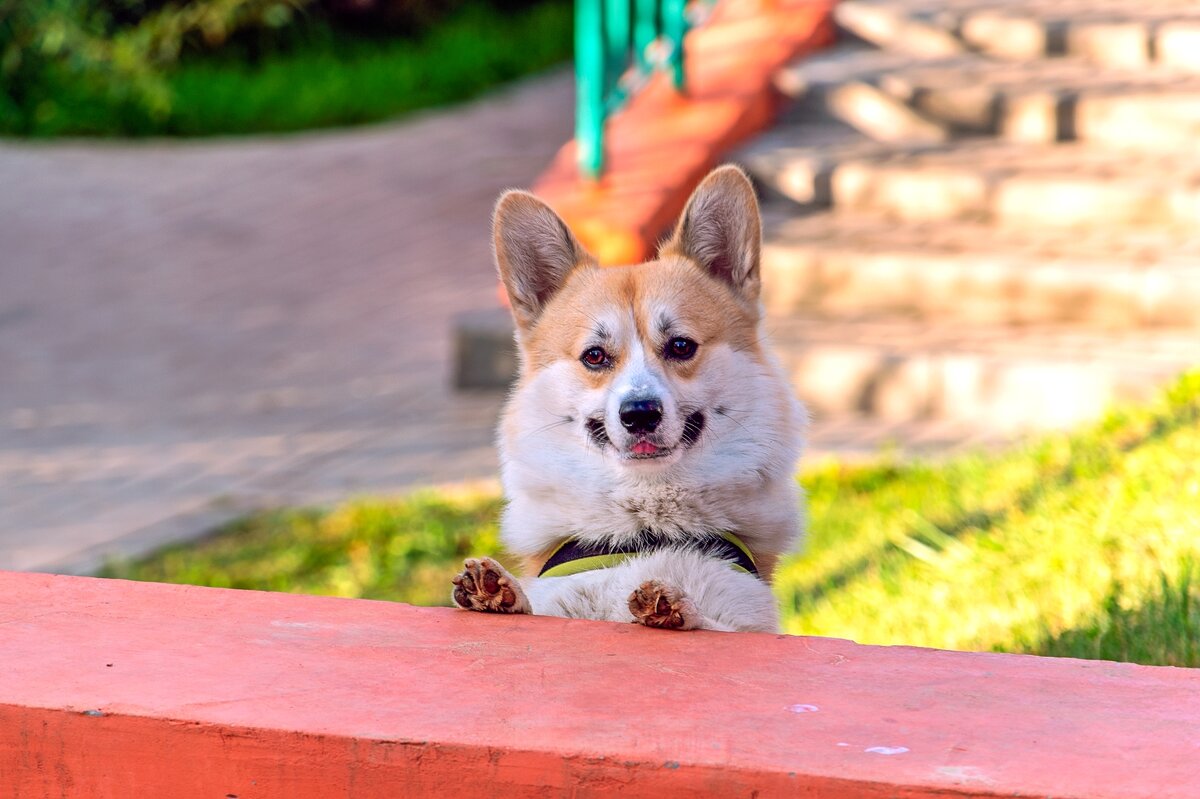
[649,448]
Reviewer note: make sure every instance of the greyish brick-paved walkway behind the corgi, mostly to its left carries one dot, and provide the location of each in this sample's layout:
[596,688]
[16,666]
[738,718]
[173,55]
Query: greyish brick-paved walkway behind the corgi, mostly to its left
[190,331]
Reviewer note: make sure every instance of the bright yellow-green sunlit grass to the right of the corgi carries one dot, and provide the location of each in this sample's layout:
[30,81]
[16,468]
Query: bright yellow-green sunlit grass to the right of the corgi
[1013,552]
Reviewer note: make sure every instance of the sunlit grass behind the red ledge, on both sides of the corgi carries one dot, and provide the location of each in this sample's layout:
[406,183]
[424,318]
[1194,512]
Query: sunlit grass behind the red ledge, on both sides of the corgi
[1079,545]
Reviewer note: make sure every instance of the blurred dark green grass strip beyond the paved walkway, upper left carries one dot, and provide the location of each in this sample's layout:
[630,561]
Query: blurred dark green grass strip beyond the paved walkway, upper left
[340,79]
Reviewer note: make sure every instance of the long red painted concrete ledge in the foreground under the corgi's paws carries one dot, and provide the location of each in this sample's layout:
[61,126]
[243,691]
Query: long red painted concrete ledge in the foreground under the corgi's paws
[113,689]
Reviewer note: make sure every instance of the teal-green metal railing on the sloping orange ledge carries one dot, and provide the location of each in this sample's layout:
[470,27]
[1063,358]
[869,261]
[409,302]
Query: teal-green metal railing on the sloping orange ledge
[619,45]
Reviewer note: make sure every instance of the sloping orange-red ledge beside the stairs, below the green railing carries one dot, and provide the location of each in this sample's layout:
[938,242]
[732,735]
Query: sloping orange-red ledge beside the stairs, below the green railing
[662,145]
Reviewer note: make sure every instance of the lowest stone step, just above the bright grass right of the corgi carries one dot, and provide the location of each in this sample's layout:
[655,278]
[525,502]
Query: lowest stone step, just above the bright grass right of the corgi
[995,379]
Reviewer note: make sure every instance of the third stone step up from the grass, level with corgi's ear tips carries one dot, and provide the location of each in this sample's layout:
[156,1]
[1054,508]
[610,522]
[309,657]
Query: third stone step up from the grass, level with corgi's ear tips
[1022,185]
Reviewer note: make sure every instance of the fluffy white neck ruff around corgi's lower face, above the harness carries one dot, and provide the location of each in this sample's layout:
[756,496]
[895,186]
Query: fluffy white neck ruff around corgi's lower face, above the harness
[737,479]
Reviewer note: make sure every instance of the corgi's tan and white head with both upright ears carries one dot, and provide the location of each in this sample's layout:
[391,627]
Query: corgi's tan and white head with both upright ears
[640,365]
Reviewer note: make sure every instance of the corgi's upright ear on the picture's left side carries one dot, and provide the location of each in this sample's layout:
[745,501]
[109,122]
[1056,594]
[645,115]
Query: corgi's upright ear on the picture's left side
[535,251]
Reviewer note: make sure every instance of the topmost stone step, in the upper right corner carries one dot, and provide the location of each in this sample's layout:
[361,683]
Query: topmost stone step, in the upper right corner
[1109,33]
